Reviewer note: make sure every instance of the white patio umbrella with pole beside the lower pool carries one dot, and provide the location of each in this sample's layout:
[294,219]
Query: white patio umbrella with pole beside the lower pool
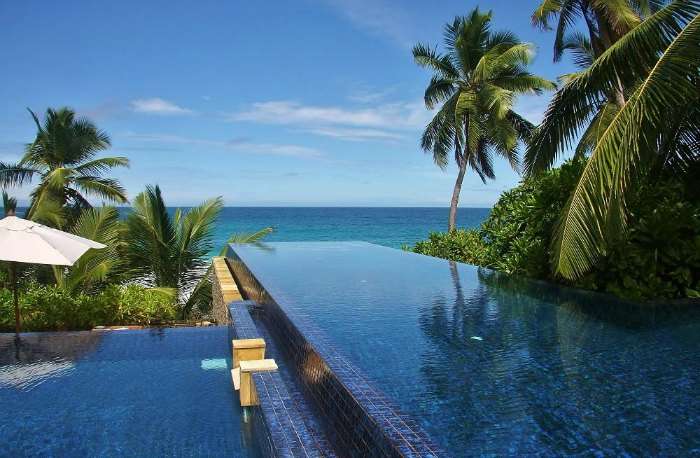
[25,241]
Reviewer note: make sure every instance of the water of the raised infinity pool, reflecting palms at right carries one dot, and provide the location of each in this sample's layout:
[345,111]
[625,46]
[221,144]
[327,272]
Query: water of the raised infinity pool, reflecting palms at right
[495,365]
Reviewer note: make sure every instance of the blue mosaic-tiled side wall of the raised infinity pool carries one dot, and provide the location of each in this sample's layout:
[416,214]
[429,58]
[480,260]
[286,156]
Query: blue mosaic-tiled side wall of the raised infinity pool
[360,420]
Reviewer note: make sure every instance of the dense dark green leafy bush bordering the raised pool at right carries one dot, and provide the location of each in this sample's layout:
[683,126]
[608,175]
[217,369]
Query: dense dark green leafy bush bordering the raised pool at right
[660,257]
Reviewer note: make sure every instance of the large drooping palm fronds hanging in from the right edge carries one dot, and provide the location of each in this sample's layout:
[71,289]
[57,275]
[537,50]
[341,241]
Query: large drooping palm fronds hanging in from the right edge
[656,130]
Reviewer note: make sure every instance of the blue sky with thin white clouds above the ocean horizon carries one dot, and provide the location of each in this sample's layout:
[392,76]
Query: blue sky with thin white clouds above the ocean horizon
[276,103]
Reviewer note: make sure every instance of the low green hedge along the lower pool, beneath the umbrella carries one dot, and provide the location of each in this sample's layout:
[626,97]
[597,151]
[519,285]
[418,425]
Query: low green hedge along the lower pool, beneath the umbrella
[47,308]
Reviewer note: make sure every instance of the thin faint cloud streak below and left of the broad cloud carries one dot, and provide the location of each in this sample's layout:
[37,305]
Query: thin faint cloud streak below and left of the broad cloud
[235,145]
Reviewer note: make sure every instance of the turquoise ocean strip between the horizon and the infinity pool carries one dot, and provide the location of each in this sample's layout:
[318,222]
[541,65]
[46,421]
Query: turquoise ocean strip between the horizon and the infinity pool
[392,227]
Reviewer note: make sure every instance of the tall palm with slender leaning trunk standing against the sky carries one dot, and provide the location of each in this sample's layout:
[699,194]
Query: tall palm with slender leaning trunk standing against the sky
[476,82]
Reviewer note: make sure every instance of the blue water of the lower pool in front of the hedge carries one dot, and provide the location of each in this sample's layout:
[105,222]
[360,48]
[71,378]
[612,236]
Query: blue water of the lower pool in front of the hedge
[160,392]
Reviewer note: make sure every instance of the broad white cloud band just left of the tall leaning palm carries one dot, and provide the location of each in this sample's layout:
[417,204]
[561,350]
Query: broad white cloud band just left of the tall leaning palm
[393,116]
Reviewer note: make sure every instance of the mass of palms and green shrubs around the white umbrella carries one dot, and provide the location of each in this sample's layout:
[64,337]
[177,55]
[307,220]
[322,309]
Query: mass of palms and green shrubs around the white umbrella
[154,266]
